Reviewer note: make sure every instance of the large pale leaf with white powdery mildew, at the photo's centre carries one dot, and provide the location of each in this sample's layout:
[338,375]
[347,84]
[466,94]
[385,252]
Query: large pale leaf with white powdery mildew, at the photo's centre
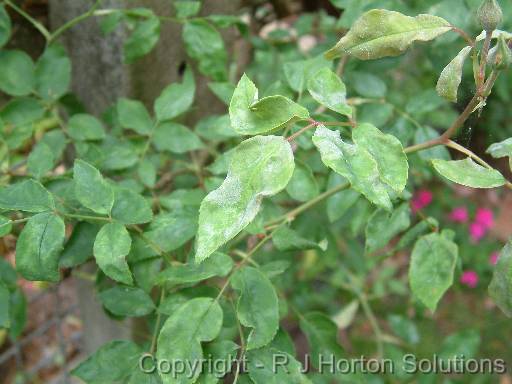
[260,167]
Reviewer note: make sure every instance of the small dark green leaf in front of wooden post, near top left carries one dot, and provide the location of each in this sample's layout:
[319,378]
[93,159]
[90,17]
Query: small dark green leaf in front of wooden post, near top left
[143,38]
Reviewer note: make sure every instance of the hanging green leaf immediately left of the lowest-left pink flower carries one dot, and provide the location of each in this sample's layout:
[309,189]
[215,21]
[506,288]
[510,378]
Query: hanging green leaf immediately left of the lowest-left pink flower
[432,266]
